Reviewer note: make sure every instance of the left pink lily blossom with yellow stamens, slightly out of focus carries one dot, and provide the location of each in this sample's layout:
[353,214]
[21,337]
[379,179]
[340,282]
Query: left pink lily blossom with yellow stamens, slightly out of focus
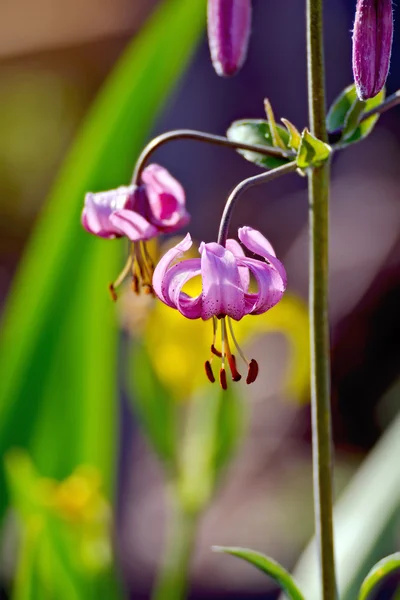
[140,213]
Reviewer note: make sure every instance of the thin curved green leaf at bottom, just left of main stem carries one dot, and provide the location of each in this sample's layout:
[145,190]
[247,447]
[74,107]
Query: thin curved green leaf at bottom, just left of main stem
[268,566]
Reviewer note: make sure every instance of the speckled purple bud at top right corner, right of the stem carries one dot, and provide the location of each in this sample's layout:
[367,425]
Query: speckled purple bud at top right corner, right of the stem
[372,45]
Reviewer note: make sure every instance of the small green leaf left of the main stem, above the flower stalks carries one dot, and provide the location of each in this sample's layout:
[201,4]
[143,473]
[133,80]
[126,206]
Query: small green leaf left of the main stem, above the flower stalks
[257,131]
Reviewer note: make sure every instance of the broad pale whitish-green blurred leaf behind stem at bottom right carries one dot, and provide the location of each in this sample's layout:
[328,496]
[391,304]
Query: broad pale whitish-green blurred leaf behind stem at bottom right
[364,519]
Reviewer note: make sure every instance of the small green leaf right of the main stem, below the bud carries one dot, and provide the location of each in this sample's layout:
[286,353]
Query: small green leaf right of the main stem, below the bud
[343,112]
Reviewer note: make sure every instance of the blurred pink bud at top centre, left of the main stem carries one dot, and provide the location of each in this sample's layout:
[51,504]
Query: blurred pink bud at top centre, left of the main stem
[229,24]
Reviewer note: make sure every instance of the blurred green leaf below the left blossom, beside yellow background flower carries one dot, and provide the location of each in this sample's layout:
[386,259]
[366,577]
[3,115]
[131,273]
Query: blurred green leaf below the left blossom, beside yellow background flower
[154,404]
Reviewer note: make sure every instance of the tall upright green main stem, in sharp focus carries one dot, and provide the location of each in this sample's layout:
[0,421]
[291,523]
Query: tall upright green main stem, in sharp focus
[318,185]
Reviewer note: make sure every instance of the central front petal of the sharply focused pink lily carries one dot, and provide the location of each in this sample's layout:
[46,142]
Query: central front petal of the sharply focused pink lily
[222,291]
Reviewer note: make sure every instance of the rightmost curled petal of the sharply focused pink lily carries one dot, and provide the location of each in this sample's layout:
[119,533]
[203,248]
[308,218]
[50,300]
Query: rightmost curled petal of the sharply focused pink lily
[269,283]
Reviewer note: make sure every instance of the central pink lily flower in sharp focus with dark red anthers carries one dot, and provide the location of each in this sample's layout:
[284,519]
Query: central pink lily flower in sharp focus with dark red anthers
[225,274]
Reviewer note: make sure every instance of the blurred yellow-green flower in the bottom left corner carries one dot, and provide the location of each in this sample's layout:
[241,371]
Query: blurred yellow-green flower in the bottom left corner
[74,512]
